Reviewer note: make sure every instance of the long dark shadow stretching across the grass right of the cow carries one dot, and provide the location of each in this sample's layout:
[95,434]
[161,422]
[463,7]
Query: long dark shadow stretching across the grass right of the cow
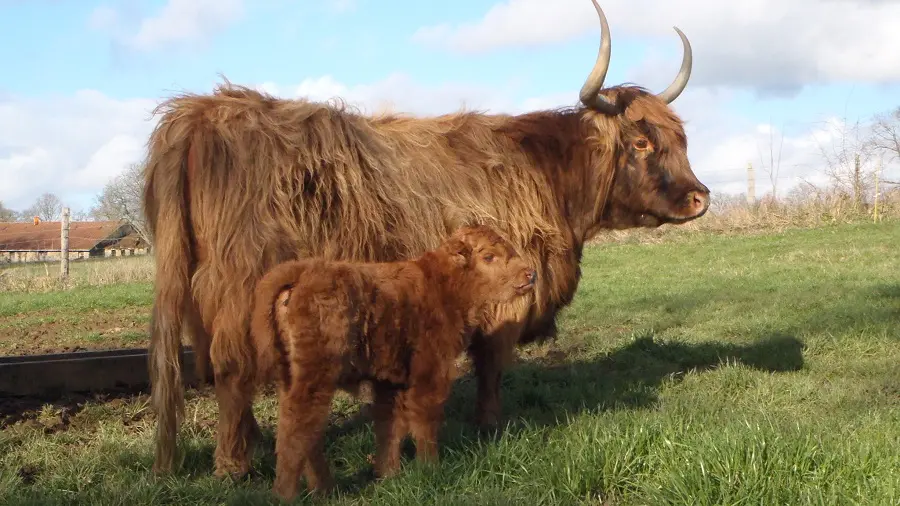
[545,391]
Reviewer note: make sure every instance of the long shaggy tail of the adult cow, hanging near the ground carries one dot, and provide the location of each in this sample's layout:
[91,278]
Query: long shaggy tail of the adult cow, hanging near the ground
[166,208]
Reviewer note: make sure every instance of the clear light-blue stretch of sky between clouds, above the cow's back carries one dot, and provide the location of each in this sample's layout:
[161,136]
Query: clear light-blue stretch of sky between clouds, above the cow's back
[281,42]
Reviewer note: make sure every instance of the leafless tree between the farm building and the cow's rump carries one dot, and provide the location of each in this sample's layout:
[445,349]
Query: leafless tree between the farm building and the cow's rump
[121,199]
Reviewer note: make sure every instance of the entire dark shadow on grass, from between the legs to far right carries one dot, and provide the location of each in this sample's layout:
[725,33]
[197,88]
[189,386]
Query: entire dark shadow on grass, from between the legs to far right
[540,393]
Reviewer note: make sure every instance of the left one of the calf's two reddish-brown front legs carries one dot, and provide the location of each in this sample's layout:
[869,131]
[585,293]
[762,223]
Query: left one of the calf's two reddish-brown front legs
[390,429]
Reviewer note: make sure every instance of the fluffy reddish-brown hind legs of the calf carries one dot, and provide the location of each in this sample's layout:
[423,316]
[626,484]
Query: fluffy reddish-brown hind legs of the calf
[303,409]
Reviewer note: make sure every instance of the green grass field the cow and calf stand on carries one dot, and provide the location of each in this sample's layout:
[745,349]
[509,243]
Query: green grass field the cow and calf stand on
[714,370]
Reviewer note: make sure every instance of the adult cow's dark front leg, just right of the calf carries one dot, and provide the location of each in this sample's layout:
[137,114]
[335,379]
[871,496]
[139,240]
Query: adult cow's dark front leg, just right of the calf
[490,353]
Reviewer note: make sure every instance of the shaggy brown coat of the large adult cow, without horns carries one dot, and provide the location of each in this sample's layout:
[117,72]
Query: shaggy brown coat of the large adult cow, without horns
[238,181]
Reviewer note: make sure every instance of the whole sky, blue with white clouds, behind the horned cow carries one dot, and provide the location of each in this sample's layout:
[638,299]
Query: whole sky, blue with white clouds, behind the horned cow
[83,76]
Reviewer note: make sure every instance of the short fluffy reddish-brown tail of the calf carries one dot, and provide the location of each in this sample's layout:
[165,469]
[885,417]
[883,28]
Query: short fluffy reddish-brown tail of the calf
[271,349]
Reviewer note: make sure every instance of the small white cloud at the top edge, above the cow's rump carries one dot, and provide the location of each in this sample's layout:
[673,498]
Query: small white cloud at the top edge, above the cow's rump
[178,22]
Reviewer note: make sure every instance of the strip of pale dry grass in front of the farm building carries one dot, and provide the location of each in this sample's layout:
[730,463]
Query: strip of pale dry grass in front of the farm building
[44,277]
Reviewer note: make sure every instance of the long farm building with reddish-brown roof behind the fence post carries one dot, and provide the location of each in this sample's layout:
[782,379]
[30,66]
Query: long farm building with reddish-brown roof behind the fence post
[40,241]
